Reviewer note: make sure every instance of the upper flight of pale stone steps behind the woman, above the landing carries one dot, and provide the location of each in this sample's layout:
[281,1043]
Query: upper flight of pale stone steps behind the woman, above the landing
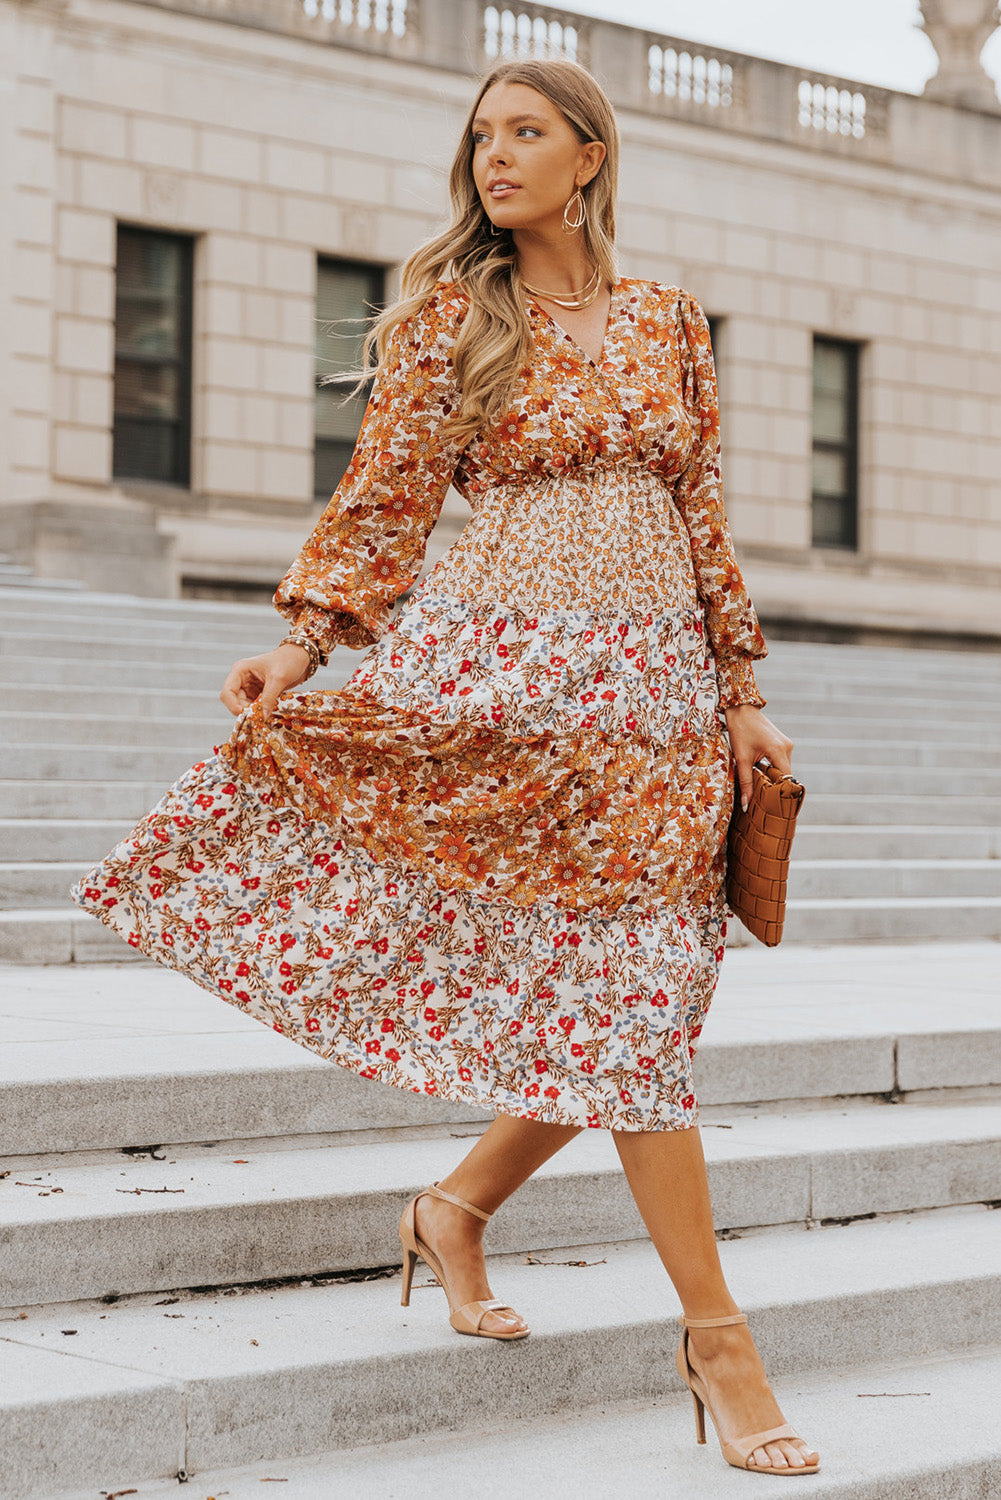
[106,700]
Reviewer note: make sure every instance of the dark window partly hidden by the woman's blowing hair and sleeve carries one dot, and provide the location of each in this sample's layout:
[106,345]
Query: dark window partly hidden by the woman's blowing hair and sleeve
[347,295]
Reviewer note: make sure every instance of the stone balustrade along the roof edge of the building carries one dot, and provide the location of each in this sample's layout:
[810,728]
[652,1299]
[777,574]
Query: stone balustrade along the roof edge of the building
[651,74]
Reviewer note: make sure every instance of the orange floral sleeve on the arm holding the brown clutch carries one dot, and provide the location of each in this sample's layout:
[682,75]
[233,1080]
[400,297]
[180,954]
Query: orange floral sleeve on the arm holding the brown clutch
[730,617]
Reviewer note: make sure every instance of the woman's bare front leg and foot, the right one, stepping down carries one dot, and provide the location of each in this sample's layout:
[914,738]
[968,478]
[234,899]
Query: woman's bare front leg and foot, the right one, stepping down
[667,1177]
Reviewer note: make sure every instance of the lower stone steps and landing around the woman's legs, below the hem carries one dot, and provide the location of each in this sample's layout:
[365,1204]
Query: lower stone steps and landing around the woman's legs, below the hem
[199,1226]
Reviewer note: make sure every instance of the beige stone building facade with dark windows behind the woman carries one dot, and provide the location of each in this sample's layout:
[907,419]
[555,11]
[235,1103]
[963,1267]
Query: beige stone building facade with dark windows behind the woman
[203,172]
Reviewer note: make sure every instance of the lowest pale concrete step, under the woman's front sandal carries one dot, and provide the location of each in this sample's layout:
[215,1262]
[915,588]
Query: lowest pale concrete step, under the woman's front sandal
[919,1429]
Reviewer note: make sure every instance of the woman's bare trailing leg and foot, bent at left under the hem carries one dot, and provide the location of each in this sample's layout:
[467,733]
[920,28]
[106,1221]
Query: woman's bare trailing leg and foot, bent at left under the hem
[507,1156]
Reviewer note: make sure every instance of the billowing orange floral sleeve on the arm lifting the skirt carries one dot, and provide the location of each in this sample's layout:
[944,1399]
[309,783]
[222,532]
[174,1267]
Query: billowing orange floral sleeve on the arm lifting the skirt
[370,544]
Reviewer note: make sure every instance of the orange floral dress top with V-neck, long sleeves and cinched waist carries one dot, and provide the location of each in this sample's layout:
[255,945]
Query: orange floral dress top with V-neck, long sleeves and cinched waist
[600,490]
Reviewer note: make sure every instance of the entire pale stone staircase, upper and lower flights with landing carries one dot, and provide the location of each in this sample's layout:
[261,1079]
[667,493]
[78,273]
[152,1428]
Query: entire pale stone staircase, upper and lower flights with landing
[200,1265]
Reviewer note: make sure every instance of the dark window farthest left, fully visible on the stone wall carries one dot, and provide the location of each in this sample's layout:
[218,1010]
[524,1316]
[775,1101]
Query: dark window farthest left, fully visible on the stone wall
[152,356]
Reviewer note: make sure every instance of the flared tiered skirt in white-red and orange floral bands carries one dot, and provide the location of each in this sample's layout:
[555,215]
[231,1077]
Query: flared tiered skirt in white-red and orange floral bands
[490,869]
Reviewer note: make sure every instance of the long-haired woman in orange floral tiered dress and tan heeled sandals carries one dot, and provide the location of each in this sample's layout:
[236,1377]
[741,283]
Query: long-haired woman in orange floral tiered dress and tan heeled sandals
[491,868]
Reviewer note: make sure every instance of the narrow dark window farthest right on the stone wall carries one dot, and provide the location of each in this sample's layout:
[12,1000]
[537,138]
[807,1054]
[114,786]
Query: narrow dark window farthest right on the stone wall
[835,445]
